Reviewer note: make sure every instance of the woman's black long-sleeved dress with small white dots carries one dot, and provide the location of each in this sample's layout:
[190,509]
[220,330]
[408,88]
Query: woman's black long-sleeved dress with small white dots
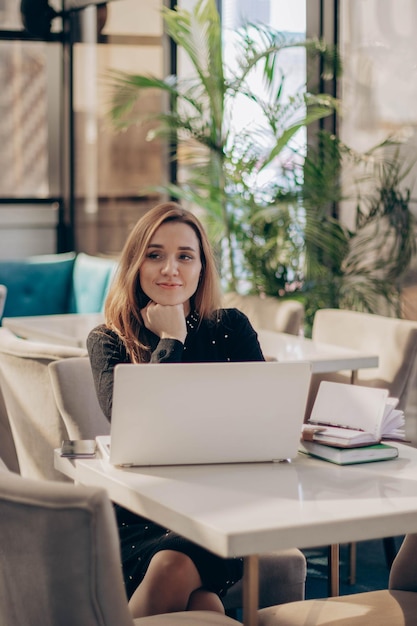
[227,337]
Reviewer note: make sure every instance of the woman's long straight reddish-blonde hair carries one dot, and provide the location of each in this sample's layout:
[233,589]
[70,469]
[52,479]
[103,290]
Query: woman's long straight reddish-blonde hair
[126,297]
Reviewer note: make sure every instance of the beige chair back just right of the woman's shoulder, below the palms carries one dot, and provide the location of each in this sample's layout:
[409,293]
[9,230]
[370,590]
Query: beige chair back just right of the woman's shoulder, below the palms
[281,315]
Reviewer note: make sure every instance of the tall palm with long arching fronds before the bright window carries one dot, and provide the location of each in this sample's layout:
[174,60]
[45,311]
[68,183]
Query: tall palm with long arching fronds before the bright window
[223,168]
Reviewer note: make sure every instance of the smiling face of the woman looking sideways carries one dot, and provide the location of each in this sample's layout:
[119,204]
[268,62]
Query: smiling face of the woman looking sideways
[171,270]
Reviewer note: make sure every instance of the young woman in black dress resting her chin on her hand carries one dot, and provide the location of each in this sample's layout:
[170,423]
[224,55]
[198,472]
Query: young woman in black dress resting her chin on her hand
[164,307]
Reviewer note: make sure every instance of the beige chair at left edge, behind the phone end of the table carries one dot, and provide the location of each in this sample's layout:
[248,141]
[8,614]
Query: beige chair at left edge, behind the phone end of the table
[35,421]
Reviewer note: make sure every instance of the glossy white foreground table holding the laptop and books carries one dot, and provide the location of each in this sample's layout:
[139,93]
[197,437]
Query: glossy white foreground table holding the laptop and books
[247,509]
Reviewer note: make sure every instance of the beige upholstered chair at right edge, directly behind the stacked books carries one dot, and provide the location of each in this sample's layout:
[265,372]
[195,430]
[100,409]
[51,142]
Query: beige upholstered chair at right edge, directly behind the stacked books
[393,340]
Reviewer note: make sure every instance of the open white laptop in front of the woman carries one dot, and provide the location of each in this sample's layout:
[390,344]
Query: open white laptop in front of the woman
[188,413]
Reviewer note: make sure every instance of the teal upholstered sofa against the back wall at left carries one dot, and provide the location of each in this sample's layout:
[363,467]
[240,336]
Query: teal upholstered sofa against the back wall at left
[55,284]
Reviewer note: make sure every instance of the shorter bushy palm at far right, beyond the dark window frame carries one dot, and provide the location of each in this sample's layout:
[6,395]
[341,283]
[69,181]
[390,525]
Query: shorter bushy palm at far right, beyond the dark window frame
[361,268]
